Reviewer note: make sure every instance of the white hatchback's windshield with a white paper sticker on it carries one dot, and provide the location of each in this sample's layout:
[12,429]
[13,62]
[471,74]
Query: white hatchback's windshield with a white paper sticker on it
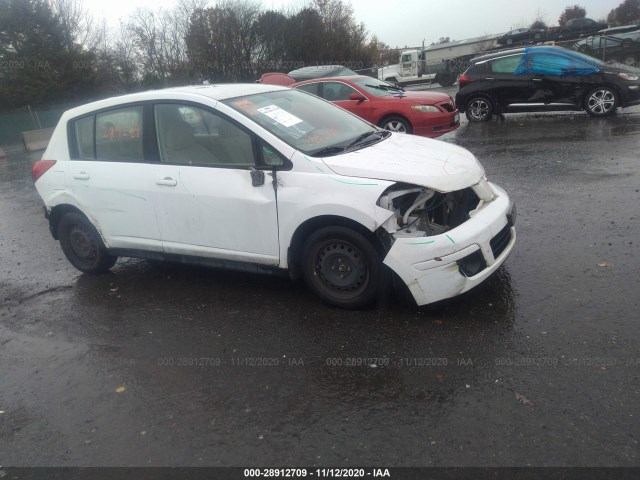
[304,121]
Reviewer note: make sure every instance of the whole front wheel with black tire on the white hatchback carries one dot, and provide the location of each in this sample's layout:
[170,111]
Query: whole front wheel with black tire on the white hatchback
[342,267]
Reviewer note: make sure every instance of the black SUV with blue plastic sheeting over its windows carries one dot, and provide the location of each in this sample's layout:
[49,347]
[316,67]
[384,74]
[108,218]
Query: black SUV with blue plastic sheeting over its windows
[544,79]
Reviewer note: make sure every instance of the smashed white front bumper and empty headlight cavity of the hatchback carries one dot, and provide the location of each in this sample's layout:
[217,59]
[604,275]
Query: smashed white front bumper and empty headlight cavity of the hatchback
[444,243]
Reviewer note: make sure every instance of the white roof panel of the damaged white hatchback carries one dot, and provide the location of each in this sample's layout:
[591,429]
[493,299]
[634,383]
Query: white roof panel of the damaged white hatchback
[216,92]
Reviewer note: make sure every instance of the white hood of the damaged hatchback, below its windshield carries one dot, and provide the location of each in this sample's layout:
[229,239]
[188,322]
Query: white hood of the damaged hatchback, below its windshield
[410,159]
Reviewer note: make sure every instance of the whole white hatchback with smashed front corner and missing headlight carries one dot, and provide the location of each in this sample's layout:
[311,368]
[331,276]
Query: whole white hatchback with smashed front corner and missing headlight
[261,175]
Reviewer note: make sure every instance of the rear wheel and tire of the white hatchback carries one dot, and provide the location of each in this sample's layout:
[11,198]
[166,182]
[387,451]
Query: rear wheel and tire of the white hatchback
[82,245]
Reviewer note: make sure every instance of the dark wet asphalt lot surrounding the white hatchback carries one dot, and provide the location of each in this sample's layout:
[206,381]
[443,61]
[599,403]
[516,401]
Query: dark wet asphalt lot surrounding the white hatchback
[162,364]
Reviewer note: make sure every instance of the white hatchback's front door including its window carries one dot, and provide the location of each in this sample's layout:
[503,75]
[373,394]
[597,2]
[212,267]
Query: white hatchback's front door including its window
[208,203]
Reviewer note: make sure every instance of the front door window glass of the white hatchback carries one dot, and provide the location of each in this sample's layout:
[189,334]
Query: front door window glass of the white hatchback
[194,136]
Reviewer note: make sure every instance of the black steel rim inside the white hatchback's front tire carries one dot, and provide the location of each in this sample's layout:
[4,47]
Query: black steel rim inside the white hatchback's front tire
[341,268]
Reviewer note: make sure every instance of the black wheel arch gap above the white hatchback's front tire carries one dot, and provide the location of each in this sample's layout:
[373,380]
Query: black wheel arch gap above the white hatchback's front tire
[306,228]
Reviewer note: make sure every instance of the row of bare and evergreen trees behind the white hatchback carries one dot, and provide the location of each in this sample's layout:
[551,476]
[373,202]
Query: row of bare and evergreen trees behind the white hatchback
[52,51]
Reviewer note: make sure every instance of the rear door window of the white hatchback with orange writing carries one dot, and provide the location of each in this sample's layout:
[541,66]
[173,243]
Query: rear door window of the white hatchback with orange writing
[113,135]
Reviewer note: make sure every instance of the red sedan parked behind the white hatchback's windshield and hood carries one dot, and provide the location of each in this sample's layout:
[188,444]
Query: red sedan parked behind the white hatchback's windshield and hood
[429,114]
